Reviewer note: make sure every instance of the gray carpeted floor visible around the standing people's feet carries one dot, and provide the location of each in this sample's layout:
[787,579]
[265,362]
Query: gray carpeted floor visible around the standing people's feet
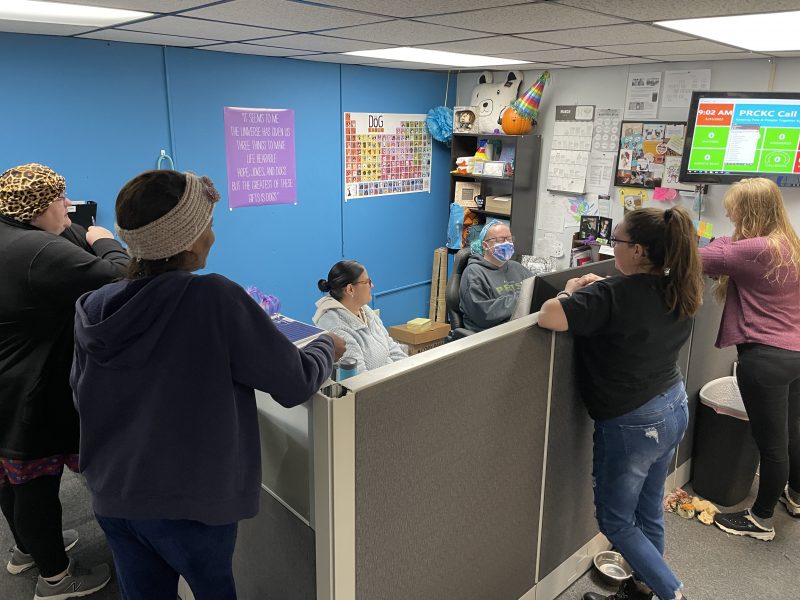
[712,564]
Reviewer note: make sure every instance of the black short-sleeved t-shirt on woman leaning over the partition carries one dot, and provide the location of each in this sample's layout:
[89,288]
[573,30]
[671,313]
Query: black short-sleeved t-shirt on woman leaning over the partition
[627,342]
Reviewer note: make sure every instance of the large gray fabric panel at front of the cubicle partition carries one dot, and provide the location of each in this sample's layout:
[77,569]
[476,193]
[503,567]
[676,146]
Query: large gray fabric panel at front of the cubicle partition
[448,461]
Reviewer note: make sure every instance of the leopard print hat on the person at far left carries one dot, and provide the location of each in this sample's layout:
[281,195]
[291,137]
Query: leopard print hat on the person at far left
[28,190]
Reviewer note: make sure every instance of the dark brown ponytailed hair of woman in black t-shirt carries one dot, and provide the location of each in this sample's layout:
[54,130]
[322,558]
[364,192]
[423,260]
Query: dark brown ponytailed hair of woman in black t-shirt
[670,240]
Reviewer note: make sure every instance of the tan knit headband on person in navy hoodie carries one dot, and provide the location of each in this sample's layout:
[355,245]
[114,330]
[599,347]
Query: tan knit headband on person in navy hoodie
[179,228]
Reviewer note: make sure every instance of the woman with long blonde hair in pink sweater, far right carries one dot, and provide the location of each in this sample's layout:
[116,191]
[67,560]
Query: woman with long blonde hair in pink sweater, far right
[759,280]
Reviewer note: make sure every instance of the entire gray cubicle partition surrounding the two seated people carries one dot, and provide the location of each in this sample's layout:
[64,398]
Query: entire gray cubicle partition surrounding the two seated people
[461,472]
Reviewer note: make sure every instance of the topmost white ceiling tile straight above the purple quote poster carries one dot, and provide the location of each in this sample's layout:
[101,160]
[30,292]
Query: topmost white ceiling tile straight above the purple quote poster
[281,14]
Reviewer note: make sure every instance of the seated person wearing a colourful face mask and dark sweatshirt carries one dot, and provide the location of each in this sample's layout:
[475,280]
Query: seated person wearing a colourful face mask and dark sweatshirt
[491,282]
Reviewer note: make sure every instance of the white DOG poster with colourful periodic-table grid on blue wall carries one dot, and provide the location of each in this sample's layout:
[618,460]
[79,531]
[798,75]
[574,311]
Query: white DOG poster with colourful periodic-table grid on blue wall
[385,154]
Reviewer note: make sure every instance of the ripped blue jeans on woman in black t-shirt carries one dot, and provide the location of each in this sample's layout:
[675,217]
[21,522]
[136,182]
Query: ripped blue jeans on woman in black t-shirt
[632,455]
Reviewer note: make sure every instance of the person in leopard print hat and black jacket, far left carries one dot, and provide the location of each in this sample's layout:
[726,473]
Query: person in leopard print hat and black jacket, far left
[43,274]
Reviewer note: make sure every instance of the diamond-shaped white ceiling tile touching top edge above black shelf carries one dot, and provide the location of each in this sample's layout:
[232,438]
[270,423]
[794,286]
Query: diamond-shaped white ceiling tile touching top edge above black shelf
[523,18]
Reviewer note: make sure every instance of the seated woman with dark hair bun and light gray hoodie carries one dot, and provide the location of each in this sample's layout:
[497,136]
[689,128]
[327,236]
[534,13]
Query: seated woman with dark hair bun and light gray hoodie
[345,311]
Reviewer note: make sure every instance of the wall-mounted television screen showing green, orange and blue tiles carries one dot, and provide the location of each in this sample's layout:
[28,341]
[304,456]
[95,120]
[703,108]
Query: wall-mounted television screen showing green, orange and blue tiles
[732,135]
